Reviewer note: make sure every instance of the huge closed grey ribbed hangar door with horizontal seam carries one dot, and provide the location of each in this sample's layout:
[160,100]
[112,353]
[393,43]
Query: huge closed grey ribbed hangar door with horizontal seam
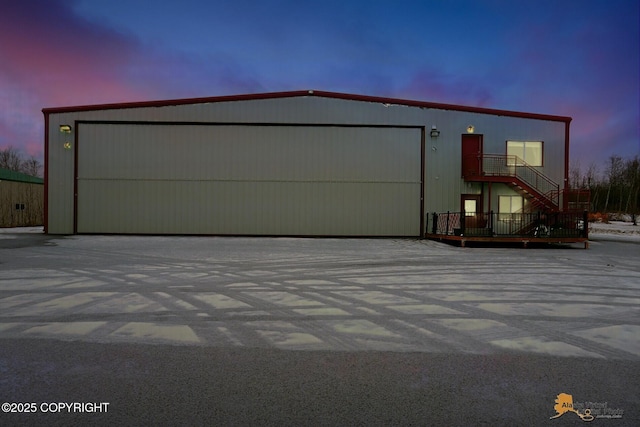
[248,179]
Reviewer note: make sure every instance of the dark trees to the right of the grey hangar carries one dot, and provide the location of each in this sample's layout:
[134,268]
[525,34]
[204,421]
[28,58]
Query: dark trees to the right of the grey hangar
[616,189]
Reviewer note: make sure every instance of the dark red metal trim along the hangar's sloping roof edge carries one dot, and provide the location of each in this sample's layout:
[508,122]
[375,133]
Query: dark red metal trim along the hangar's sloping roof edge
[293,94]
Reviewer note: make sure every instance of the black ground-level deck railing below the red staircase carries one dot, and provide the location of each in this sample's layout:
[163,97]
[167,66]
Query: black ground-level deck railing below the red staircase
[493,224]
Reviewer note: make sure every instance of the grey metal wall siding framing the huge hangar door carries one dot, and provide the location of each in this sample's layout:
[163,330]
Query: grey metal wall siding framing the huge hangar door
[443,184]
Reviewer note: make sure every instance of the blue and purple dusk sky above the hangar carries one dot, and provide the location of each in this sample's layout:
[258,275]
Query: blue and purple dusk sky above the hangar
[577,58]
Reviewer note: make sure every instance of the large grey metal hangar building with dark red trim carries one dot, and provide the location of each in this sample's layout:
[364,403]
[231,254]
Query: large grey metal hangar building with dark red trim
[304,163]
